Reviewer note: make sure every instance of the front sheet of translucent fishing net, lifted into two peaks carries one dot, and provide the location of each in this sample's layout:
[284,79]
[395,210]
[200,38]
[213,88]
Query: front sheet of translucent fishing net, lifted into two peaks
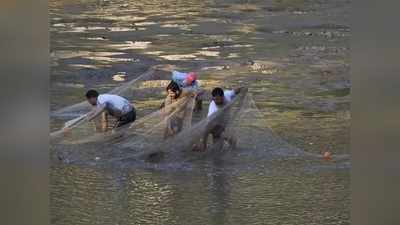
[153,137]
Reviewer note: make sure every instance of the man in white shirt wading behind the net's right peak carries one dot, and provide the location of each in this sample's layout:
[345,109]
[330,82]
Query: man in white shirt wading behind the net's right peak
[219,99]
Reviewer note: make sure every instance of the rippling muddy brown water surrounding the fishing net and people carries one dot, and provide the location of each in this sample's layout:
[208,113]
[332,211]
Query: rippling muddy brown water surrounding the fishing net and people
[300,81]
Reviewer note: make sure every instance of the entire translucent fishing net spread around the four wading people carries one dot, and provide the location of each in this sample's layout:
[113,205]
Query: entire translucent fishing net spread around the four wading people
[174,133]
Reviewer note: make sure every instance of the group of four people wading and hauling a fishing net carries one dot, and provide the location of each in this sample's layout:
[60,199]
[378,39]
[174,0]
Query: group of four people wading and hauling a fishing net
[182,85]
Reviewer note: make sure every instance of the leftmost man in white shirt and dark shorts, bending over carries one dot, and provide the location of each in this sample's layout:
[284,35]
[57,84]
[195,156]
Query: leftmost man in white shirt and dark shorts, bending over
[114,105]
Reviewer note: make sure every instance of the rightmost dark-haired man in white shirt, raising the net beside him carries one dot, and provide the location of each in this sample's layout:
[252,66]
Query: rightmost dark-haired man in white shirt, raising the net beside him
[219,99]
